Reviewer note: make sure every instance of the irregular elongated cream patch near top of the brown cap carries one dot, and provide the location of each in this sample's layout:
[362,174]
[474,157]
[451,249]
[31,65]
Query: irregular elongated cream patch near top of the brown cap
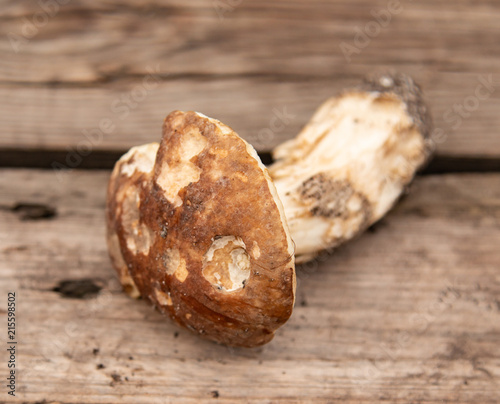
[177,176]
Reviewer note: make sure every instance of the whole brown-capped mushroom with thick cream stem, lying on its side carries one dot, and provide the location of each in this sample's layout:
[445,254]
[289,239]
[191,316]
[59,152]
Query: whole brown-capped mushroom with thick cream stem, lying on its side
[198,226]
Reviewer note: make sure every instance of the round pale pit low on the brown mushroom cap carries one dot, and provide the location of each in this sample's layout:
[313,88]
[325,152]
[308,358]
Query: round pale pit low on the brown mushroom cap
[226,264]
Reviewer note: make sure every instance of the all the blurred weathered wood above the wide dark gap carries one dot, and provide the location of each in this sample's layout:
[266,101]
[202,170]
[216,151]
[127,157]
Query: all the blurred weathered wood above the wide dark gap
[260,56]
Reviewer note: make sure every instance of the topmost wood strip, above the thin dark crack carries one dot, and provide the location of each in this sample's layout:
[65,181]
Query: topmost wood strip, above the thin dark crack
[282,37]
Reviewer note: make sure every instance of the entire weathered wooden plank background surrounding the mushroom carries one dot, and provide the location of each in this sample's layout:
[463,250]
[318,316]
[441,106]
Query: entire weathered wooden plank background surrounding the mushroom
[408,313]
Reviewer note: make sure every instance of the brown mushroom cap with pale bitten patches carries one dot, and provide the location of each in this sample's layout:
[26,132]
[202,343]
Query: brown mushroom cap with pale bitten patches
[196,227]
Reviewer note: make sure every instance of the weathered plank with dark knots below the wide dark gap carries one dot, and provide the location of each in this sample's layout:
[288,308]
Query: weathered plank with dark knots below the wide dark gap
[409,312]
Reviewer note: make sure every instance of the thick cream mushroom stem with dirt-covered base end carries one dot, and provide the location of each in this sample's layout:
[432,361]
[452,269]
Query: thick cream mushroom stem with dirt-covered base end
[351,162]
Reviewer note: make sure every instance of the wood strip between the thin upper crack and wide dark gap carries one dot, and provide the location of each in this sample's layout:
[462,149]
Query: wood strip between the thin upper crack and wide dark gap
[59,118]
